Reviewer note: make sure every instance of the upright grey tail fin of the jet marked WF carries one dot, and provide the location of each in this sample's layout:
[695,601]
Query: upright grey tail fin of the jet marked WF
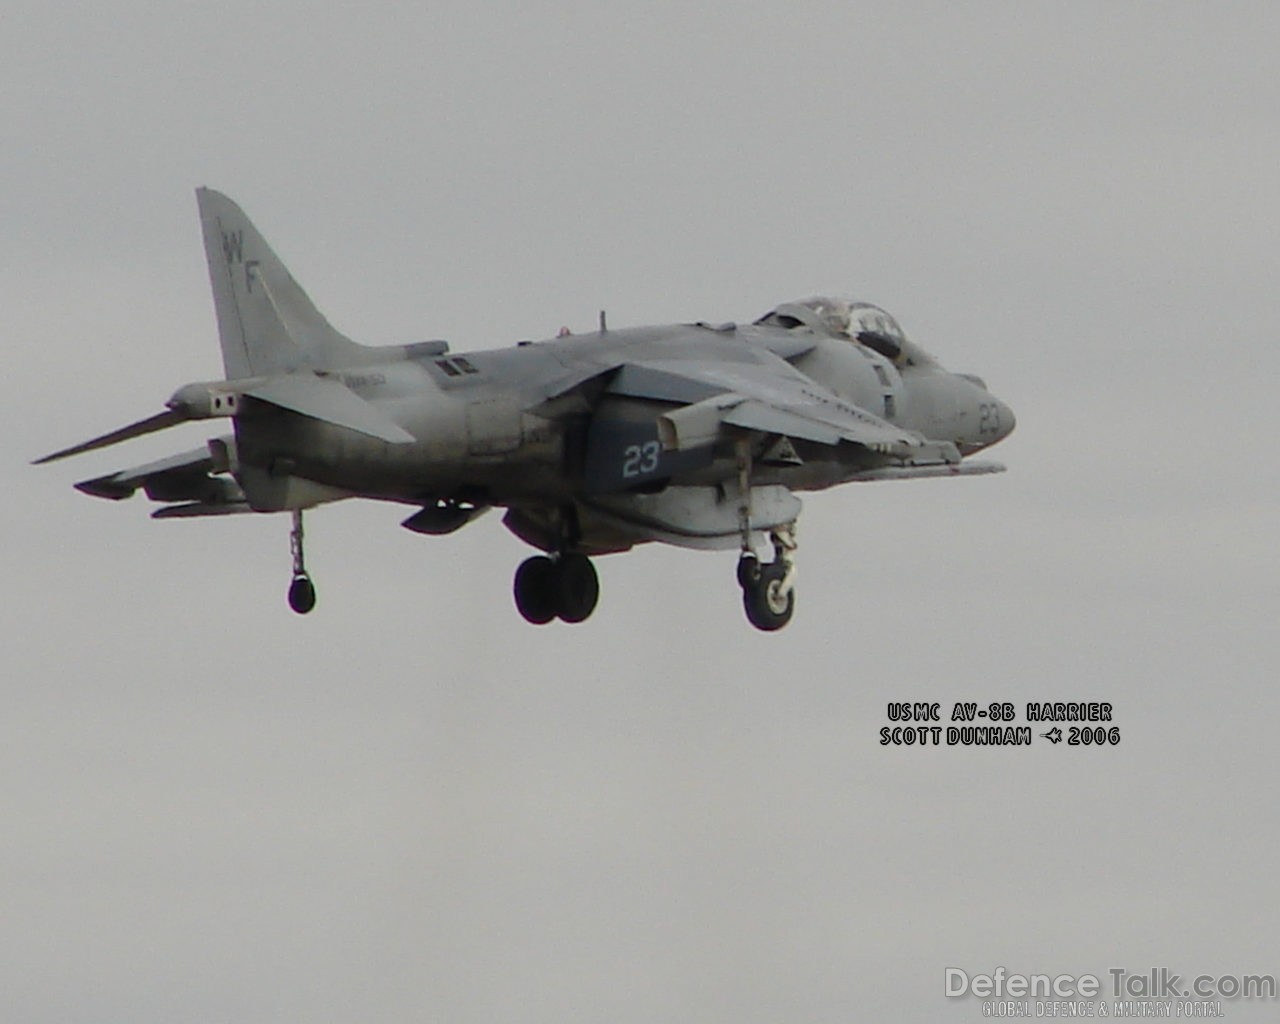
[266,322]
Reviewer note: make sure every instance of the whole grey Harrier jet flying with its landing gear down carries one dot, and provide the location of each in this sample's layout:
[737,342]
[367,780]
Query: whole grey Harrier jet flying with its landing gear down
[691,435]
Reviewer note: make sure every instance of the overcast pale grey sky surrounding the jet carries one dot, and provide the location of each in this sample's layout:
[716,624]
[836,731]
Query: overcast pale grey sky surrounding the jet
[414,807]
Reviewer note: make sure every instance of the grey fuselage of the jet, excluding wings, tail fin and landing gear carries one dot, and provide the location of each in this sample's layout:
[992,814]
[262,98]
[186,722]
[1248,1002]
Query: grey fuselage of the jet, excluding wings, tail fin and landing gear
[474,436]
